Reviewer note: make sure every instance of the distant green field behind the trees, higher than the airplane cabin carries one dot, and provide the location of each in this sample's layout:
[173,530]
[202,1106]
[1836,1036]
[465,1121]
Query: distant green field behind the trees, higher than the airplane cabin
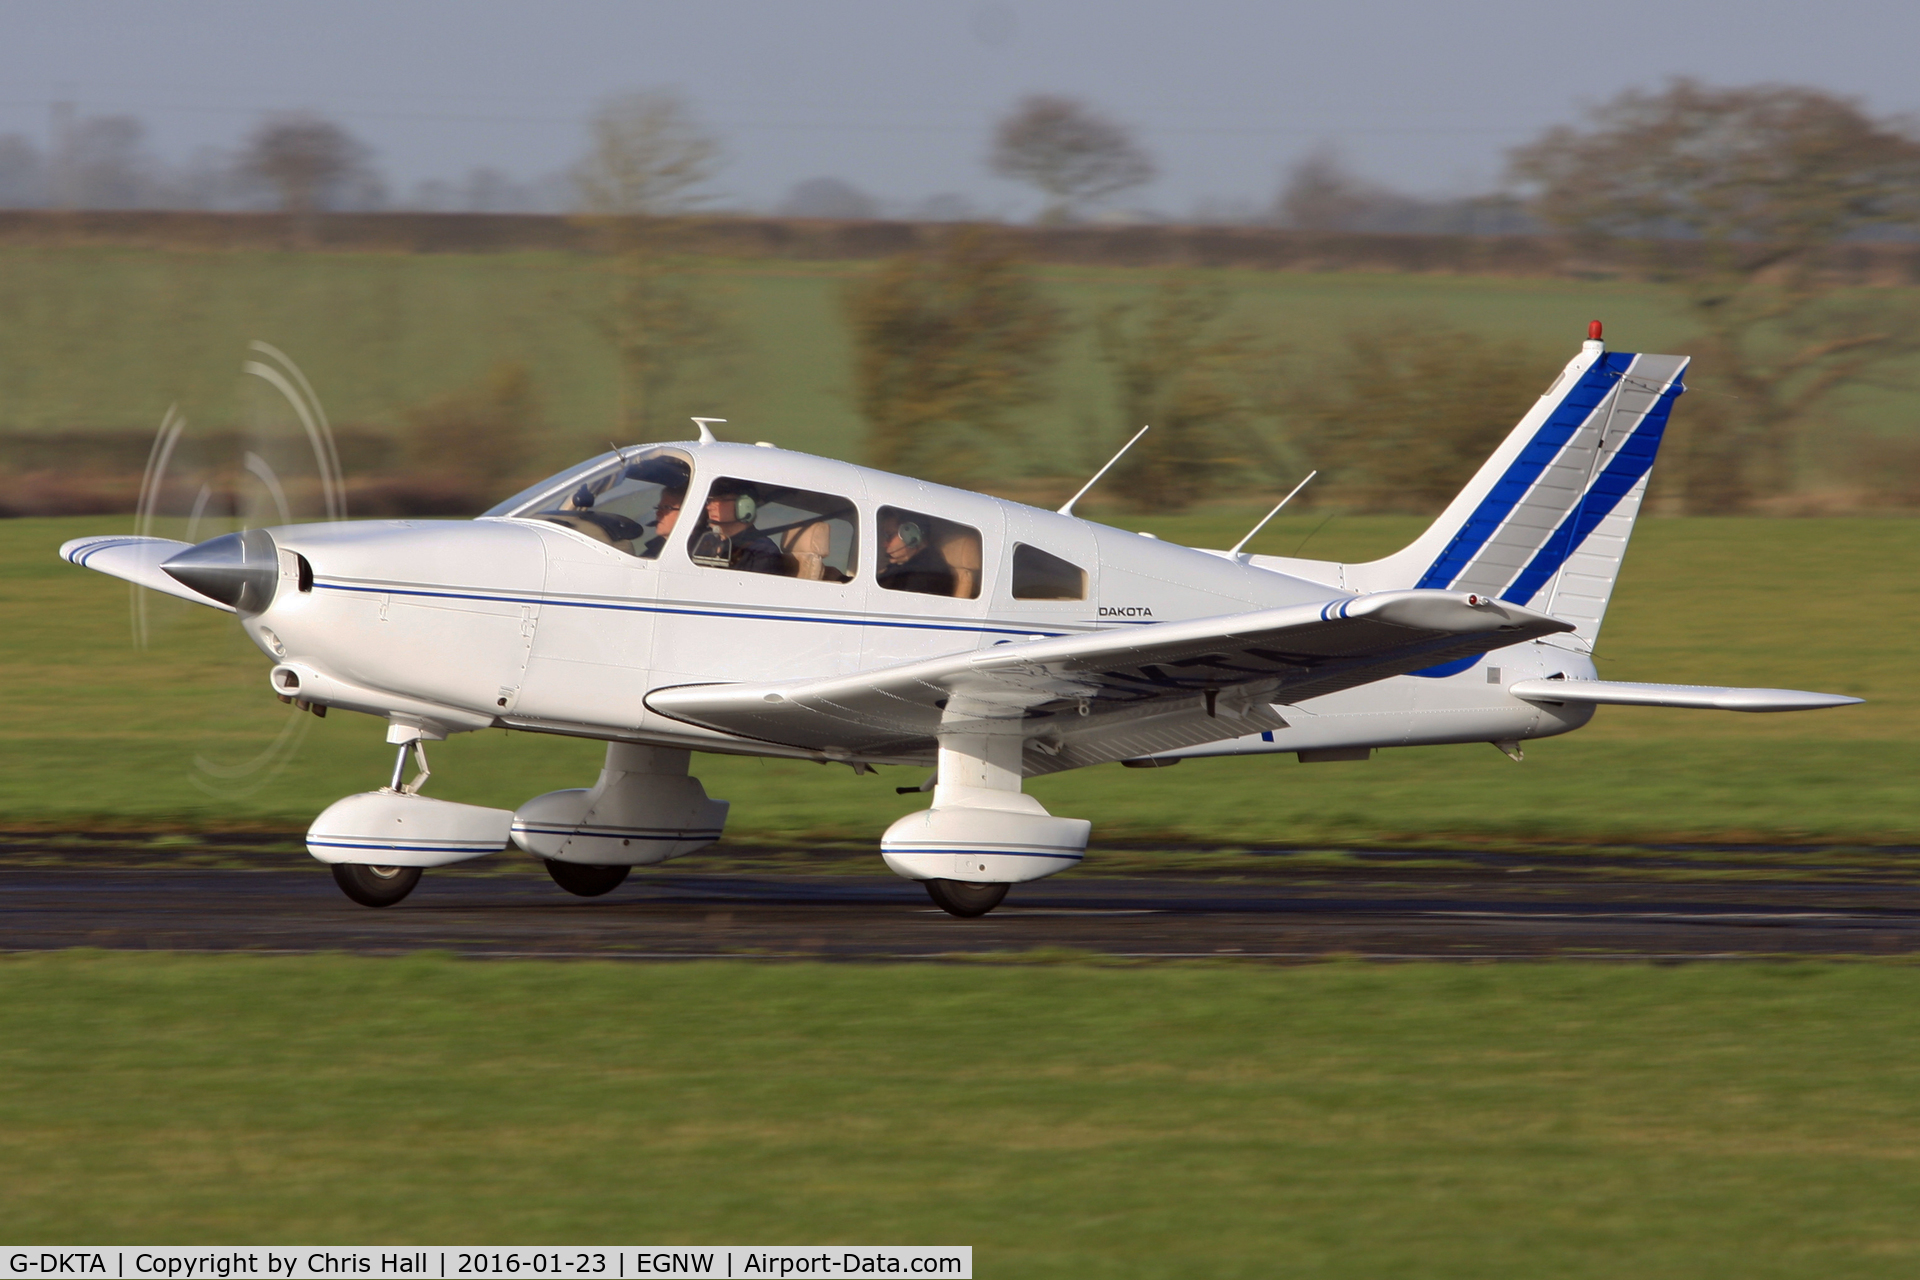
[108,339]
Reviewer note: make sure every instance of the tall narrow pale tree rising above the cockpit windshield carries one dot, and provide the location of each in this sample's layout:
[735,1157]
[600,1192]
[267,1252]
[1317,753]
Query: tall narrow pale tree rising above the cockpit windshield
[648,156]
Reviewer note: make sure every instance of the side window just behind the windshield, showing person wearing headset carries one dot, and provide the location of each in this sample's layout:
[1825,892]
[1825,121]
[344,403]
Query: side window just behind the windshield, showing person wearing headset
[765,529]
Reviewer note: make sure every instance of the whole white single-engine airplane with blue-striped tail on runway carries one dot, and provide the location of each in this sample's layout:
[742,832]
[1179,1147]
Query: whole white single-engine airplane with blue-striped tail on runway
[746,600]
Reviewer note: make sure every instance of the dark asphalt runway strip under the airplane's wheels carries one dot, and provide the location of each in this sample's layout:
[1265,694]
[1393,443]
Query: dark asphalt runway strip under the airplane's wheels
[1466,913]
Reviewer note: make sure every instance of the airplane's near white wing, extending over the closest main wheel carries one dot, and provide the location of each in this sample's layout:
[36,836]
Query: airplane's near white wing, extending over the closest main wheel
[1122,694]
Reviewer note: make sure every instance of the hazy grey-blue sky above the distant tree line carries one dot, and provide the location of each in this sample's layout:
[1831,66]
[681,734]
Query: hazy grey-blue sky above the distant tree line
[900,99]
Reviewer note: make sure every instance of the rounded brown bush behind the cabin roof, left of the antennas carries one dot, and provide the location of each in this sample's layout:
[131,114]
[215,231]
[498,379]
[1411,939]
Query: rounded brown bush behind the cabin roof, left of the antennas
[946,348]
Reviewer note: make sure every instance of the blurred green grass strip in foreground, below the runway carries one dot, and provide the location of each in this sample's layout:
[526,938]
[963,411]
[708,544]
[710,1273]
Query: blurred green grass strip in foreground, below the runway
[1063,1120]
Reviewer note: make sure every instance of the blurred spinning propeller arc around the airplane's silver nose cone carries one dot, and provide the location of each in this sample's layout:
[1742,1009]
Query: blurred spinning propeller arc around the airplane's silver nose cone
[277,465]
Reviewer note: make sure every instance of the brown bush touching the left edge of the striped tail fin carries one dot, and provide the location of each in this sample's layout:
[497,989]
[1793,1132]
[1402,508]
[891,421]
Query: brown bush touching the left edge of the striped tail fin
[1404,412]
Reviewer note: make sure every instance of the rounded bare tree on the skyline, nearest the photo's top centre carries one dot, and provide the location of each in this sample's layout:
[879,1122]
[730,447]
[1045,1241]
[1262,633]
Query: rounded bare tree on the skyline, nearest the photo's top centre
[1068,151]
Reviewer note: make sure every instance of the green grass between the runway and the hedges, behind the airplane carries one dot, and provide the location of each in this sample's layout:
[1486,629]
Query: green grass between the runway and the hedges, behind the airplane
[103,734]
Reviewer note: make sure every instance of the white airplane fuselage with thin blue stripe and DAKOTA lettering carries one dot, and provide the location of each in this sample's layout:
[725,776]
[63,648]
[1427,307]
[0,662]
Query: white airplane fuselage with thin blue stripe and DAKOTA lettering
[535,625]
